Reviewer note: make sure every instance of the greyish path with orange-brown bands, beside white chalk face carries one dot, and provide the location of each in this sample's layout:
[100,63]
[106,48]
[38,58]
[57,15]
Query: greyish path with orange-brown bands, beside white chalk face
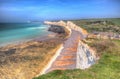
[67,57]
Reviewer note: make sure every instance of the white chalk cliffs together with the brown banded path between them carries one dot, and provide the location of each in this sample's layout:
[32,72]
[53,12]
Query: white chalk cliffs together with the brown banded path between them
[75,54]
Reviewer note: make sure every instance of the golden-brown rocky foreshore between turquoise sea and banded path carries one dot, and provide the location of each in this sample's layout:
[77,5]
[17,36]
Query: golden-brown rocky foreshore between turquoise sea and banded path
[29,59]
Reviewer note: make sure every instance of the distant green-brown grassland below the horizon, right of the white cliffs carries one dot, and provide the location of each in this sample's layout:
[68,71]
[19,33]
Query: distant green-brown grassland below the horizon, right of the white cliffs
[112,25]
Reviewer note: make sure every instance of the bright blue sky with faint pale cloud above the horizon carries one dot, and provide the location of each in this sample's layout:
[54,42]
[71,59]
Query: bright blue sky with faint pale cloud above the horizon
[36,10]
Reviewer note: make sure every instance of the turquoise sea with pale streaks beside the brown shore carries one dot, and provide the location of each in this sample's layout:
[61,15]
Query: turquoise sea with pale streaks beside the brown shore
[16,32]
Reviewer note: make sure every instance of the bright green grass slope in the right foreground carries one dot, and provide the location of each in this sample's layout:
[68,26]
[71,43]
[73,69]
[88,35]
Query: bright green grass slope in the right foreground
[108,67]
